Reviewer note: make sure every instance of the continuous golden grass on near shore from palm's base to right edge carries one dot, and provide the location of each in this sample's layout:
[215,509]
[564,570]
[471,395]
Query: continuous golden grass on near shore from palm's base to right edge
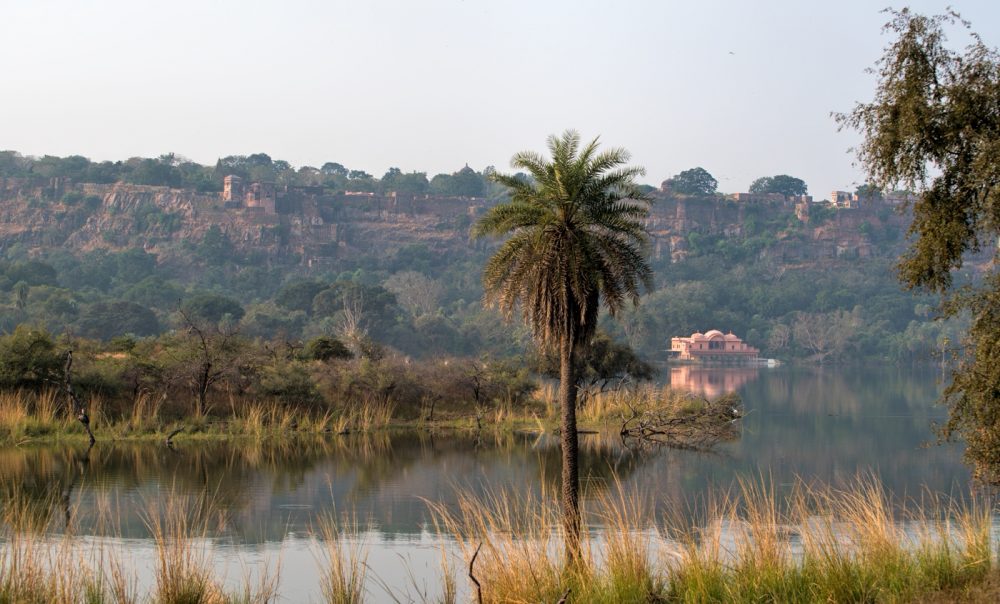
[816,544]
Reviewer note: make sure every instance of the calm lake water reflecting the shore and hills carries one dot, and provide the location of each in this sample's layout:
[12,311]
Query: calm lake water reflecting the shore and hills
[826,425]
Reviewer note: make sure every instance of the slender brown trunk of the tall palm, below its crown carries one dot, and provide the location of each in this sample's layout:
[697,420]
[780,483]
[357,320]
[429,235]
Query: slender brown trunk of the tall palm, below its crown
[570,471]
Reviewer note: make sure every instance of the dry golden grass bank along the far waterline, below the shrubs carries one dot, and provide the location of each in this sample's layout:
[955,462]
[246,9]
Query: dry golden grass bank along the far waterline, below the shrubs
[27,416]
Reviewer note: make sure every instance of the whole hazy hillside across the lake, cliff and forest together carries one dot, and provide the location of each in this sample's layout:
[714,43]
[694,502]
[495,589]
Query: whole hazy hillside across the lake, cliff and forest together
[106,249]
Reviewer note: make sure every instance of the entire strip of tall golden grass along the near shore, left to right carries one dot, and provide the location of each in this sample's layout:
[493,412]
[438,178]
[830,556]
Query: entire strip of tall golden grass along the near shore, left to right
[813,544]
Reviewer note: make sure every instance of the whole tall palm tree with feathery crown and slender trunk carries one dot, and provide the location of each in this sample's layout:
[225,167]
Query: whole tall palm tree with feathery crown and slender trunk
[577,239]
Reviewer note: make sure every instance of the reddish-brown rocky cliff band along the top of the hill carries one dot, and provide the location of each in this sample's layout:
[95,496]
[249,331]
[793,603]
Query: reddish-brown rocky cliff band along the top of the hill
[312,227]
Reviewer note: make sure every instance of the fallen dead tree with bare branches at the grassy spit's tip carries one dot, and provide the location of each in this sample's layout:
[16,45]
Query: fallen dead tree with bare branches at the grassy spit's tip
[697,428]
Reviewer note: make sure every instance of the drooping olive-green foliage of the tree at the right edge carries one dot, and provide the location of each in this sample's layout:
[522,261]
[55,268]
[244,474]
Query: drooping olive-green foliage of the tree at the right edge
[934,128]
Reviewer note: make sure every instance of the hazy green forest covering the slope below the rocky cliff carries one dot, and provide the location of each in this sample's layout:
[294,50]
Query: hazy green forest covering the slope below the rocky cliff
[423,303]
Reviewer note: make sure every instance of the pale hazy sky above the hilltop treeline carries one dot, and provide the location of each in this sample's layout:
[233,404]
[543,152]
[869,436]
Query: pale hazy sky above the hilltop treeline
[743,89]
